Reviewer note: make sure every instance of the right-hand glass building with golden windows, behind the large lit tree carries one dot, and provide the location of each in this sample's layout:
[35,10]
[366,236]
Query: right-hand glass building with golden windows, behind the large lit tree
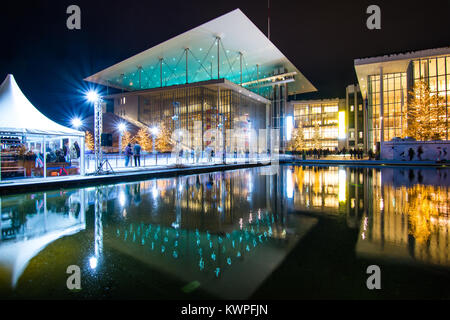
[386,83]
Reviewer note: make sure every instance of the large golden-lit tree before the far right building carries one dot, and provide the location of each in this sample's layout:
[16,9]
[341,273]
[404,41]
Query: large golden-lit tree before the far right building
[426,114]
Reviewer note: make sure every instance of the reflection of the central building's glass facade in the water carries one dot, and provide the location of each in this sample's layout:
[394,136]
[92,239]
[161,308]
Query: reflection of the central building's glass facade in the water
[215,201]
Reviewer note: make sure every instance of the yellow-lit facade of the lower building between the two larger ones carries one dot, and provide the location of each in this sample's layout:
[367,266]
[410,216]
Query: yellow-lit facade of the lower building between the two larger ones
[320,123]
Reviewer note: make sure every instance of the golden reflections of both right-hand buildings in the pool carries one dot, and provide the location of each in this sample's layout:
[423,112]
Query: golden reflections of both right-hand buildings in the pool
[402,213]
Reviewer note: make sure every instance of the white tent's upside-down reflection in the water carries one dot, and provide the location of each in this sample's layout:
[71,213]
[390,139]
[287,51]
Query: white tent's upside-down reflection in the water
[30,223]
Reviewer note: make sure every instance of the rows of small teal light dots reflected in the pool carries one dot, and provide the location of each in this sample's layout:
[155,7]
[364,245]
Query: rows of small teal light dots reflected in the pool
[210,247]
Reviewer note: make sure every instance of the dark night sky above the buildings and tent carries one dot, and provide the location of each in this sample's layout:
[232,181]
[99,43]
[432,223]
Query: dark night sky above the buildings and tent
[322,38]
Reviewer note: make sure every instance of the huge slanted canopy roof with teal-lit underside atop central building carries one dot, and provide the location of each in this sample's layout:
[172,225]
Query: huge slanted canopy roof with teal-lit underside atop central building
[205,56]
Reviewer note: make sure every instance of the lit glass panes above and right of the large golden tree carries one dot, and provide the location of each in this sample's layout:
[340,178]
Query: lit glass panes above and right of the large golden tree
[436,72]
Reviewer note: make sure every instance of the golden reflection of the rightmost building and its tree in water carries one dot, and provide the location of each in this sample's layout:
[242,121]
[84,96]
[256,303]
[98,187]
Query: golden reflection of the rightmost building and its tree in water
[408,220]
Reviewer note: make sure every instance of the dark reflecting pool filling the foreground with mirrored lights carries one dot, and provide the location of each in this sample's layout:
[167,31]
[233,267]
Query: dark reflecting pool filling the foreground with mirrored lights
[305,232]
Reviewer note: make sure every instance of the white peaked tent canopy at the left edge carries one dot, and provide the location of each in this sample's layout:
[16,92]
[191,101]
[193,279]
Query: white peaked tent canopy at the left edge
[18,115]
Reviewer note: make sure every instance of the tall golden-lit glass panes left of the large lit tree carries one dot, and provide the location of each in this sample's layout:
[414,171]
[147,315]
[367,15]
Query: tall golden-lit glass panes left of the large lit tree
[394,107]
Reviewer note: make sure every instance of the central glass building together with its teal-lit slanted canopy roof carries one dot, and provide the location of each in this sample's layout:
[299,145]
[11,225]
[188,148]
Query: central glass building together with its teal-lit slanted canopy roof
[224,74]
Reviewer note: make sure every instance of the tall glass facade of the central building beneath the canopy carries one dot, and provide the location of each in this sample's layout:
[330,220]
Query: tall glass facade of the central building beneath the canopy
[198,110]
